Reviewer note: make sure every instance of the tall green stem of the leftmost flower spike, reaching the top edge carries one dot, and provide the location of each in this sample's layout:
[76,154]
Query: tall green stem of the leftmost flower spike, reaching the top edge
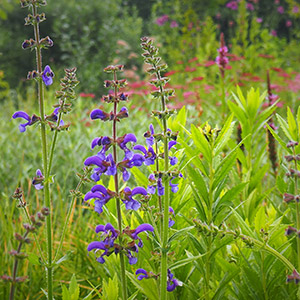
[45,158]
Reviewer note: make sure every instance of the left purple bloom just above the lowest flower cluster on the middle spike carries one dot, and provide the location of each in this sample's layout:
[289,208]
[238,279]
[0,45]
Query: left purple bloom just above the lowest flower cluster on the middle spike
[102,195]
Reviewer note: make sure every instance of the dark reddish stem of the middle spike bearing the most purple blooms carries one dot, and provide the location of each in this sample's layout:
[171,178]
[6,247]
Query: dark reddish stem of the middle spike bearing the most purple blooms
[118,204]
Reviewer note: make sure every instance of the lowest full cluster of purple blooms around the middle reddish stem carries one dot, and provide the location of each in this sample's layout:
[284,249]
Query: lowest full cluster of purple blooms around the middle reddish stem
[108,243]
